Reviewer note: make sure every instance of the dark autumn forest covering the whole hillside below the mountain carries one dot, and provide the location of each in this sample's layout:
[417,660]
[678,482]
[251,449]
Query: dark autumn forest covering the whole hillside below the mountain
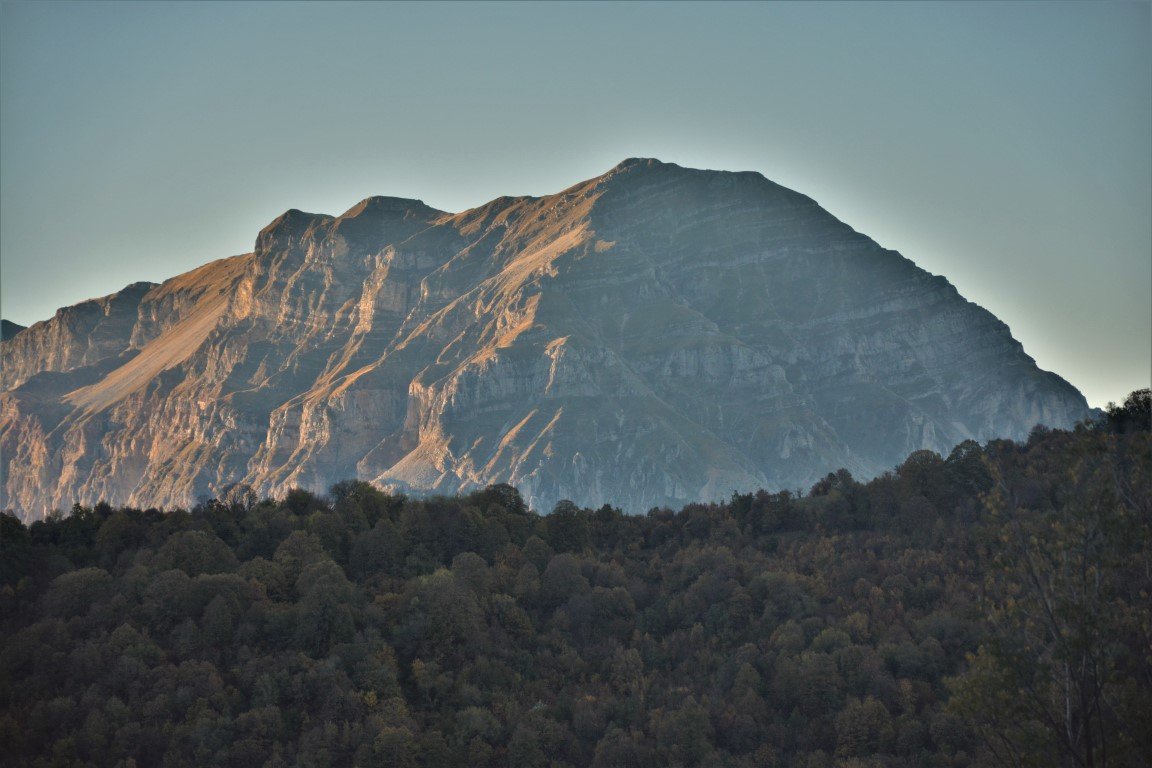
[986,609]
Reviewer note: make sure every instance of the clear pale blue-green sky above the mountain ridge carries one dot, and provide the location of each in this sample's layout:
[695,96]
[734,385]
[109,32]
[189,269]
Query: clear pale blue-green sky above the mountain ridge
[1004,146]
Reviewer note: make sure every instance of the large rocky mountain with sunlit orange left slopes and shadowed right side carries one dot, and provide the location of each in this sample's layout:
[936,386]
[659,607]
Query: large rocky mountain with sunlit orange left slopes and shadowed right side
[651,337]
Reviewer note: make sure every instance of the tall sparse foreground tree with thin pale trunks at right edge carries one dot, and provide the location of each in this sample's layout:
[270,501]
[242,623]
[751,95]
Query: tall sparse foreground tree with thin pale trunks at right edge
[1065,678]
